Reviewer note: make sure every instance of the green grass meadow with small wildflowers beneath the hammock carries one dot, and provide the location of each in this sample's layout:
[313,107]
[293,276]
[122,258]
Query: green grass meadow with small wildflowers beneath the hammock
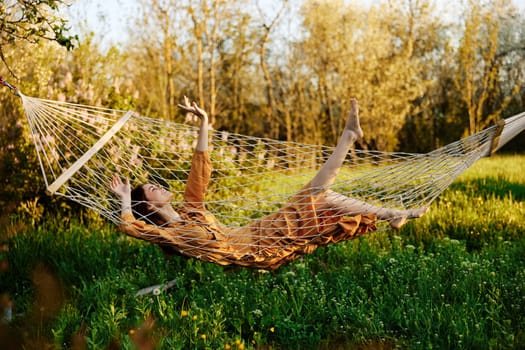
[452,279]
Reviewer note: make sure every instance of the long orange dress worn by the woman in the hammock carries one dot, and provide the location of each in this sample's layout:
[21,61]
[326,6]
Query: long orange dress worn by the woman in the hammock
[298,228]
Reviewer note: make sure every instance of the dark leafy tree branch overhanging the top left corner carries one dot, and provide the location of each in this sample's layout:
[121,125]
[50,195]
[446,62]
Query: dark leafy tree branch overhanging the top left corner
[32,21]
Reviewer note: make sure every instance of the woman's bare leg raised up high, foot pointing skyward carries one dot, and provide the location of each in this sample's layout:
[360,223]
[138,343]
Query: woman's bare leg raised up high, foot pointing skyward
[352,132]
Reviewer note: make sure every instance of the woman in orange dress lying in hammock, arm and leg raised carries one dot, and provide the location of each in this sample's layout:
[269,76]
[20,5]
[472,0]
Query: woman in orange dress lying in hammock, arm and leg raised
[315,216]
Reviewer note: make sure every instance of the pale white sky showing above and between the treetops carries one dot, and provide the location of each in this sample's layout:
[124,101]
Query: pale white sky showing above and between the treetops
[109,19]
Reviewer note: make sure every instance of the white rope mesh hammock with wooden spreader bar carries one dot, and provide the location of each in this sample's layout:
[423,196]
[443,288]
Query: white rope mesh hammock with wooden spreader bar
[80,148]
